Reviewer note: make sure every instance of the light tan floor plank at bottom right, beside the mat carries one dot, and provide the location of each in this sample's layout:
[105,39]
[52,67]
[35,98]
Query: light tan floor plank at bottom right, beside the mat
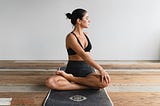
[135,98]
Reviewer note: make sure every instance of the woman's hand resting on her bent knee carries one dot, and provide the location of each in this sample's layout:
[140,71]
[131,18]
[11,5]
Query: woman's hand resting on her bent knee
[105,76]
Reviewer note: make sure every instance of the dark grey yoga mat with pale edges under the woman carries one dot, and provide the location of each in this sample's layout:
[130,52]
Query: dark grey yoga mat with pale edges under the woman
[87,97]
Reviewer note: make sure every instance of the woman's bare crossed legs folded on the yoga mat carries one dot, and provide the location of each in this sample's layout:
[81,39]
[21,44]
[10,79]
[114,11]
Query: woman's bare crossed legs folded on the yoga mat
[64,81]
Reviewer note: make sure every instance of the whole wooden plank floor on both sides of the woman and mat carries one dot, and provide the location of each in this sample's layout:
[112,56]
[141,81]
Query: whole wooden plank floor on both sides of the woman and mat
[134,83]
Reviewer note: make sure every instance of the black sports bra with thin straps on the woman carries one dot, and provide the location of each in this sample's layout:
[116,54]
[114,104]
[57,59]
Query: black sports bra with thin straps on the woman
[87,49]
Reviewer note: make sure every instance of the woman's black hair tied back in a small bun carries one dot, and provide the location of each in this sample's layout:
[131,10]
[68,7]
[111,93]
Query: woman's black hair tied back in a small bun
[76,14]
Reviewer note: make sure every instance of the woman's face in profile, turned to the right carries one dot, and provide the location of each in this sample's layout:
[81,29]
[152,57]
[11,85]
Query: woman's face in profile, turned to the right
[85,21]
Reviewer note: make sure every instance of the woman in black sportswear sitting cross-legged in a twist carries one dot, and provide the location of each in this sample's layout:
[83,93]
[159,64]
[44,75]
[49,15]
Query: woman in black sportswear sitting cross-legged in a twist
[79,73]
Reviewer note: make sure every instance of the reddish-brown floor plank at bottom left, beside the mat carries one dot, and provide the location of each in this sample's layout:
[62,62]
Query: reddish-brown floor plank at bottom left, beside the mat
[25,98]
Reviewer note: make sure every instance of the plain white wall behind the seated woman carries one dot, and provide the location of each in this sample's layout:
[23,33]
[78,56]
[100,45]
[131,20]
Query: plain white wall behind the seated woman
[119,30]
